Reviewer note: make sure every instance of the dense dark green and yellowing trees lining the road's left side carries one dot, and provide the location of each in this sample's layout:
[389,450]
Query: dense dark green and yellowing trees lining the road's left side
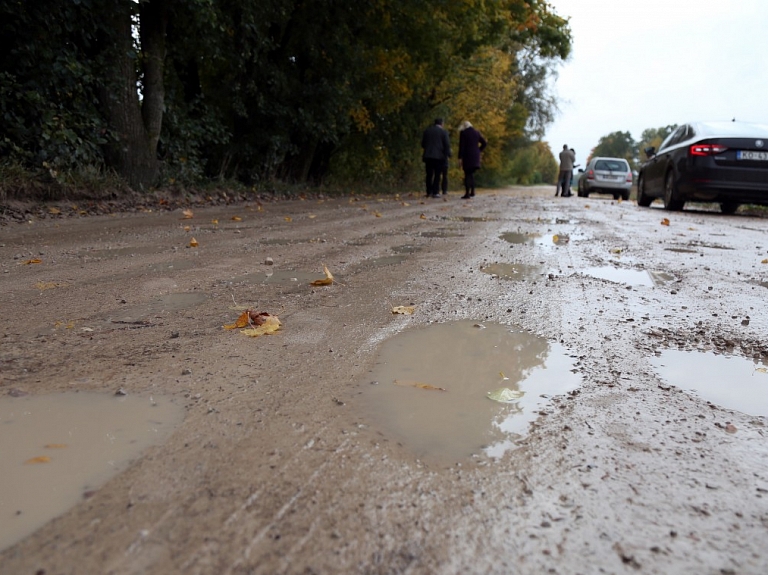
[101,99]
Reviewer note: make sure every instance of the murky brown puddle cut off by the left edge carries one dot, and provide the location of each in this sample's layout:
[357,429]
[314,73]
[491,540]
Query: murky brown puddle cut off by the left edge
[58,449]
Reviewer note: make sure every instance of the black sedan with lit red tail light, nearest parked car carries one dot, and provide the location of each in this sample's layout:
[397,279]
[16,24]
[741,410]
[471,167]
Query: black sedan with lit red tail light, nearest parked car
[725,162]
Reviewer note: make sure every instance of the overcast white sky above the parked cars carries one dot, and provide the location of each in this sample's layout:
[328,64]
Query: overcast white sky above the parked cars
[640,64]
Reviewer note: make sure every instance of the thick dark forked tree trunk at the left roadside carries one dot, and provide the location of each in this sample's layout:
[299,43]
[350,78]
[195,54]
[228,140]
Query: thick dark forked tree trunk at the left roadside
[136,125]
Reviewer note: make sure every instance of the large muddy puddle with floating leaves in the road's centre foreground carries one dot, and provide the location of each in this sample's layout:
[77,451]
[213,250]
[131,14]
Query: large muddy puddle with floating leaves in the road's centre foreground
[468,362]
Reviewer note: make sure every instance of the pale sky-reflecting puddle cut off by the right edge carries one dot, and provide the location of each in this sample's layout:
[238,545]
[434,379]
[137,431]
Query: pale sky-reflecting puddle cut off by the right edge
[730,382]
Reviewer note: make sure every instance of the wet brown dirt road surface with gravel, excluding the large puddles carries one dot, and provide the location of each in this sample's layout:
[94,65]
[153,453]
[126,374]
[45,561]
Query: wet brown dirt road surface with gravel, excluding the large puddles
[278,467]
